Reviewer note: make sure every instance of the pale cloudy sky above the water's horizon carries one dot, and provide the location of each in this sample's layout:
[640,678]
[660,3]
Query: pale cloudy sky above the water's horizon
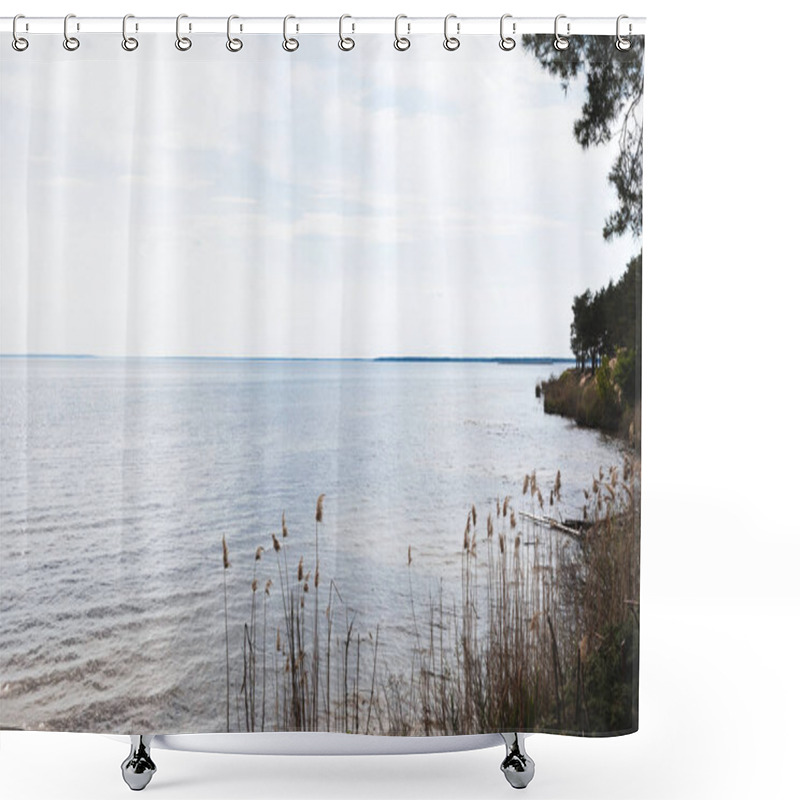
[313,204]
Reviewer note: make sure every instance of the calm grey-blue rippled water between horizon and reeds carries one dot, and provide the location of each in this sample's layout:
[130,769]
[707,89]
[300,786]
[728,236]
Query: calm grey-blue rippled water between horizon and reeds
[120,477]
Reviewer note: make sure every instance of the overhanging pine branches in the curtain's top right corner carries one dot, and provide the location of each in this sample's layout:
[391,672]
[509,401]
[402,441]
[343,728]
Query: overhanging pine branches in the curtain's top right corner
[614,87]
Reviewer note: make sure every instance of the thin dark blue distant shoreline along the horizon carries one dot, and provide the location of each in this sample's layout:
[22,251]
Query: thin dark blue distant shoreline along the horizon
[380,359]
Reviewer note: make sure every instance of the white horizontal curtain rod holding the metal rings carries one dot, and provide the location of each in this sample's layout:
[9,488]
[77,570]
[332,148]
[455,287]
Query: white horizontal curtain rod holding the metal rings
[462,26]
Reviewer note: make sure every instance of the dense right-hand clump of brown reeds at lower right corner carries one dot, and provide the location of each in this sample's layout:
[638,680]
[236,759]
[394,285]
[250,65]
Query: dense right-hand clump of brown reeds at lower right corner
[535,614]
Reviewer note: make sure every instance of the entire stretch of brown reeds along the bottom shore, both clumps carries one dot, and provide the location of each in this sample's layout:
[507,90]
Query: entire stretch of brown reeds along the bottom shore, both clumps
[541,634]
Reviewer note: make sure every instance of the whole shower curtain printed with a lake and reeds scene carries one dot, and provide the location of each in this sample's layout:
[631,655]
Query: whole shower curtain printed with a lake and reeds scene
[320,382]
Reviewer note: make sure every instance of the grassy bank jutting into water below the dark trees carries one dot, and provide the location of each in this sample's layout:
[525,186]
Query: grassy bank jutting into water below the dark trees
[609,399]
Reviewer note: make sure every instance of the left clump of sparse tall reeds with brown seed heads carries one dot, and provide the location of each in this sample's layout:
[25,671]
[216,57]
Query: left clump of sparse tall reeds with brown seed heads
[307,682]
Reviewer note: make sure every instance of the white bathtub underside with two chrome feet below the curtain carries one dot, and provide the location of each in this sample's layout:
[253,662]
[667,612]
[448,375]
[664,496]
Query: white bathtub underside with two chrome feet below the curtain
[139,767]
